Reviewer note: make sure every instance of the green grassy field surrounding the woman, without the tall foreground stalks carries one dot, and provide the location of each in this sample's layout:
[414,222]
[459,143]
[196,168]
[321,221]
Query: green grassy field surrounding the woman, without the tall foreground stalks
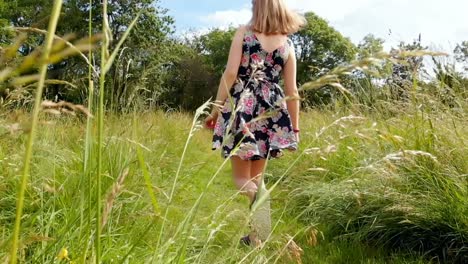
[383,187]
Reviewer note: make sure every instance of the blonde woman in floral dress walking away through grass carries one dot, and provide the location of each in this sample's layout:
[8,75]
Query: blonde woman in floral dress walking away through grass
[253,117]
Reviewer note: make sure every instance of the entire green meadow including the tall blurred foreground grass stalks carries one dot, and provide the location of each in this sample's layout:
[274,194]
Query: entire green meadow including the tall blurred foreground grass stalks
[377,179]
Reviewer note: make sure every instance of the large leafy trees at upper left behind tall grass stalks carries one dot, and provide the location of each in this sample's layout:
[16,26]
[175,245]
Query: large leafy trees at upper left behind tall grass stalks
[148,47]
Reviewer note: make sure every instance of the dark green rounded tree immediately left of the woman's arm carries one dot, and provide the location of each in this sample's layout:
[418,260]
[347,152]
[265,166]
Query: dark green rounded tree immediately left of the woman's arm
[193,76]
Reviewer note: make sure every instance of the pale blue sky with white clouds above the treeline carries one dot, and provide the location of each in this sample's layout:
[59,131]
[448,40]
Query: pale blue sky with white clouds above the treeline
[441,23]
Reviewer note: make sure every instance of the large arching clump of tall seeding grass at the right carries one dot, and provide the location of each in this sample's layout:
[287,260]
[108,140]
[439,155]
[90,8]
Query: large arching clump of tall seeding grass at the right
[398,183]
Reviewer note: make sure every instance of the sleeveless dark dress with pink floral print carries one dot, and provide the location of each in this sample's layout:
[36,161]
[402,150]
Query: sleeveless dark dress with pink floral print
[254,122]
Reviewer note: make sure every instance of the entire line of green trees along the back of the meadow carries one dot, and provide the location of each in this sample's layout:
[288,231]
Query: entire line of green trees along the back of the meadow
[155,67]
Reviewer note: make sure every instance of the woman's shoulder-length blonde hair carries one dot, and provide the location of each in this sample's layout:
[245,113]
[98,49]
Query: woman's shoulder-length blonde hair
[274,17]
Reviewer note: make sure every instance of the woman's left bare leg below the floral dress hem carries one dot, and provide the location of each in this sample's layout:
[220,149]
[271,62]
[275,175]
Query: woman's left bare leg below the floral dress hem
[242,177]
